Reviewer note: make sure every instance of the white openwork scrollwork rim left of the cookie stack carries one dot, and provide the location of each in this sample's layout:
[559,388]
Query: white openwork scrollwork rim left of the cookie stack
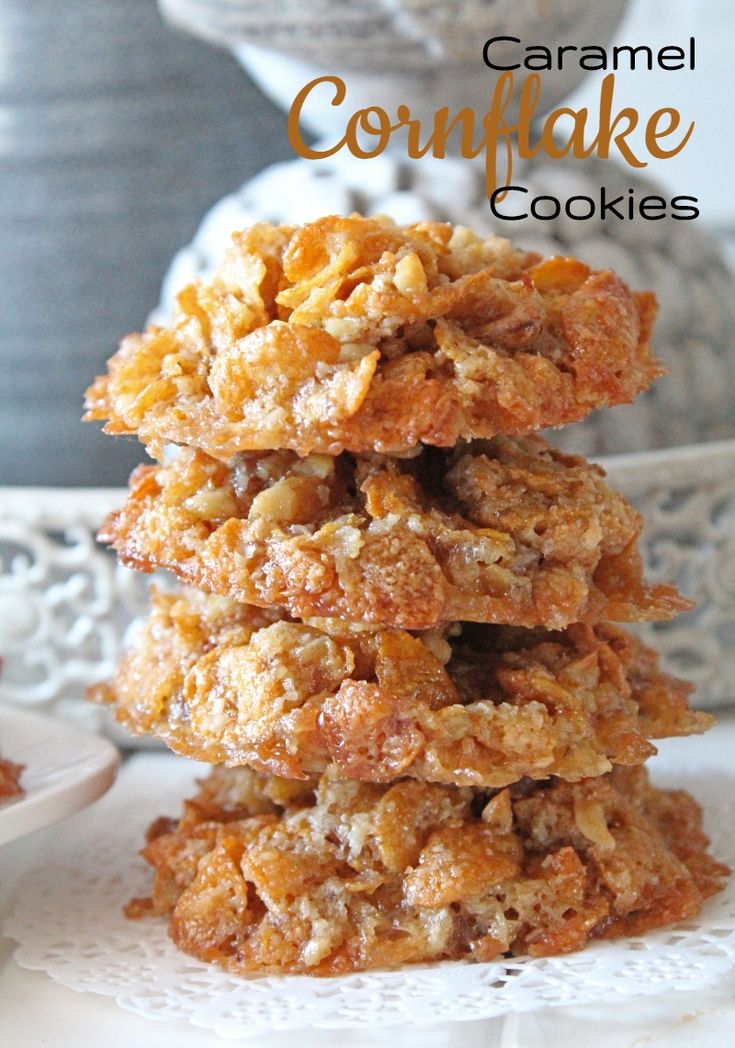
[64,602]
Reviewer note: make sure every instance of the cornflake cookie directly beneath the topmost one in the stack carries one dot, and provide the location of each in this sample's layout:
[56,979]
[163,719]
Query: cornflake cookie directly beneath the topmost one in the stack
[507,531]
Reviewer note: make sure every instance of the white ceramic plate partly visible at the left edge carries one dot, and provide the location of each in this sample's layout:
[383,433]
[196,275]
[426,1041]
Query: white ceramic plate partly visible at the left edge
[66,771]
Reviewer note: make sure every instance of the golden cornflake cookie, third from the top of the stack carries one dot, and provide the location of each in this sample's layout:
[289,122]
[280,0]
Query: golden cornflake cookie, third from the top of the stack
[482,707]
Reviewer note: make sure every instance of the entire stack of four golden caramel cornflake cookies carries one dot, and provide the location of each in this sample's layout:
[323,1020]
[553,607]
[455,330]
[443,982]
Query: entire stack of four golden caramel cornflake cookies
[401,651]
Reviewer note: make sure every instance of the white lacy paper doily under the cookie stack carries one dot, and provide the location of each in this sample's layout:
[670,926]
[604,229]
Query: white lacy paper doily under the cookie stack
[69,924]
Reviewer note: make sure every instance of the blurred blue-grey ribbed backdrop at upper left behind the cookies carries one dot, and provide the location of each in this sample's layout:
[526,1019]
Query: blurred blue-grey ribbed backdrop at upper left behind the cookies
[119,134]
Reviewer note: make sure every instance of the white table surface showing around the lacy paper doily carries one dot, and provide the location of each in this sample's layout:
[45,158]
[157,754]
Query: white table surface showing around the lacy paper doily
[36,1012]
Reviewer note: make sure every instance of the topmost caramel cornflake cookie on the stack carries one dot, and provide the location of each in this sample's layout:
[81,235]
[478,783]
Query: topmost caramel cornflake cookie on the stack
[355,334]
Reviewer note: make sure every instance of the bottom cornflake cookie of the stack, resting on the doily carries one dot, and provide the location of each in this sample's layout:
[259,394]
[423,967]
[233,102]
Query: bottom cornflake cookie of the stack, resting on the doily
[268,876]
